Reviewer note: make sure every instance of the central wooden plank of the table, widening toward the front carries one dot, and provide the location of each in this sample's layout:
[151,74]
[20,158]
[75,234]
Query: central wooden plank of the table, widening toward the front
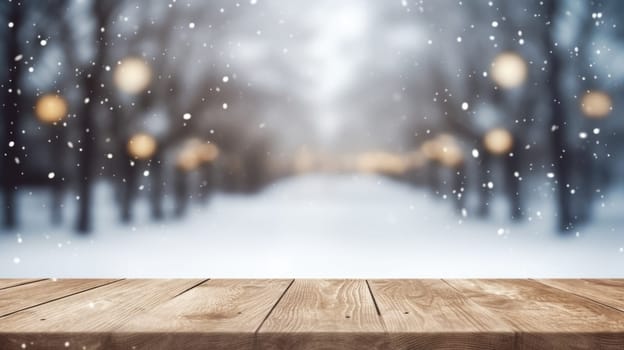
[323,314]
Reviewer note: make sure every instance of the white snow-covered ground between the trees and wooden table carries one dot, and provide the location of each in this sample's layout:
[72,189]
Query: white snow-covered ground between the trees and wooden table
[316,226]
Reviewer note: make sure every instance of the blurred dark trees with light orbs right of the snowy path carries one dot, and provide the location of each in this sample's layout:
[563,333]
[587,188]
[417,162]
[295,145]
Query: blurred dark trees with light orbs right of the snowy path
[531,93]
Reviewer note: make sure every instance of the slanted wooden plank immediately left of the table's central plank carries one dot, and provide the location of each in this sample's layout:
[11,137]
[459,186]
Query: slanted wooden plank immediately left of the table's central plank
[219,314]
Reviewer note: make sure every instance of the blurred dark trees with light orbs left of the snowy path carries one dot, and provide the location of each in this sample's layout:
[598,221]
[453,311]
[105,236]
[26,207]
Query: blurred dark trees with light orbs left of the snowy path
[120,102]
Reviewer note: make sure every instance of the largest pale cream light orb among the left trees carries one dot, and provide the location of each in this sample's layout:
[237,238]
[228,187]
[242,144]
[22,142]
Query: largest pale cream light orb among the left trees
[132,75]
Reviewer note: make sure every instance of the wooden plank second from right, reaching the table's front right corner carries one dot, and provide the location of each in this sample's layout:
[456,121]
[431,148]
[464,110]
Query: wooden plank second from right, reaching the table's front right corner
[546,317]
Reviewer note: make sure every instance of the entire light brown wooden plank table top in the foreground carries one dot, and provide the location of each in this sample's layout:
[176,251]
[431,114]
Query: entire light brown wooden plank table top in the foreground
[311,314]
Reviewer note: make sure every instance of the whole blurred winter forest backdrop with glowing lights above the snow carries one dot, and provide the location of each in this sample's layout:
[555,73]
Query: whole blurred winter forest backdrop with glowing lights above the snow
[170,102]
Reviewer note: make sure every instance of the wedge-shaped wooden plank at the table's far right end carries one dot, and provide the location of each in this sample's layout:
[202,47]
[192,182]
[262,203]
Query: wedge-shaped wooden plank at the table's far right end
[606,291]
